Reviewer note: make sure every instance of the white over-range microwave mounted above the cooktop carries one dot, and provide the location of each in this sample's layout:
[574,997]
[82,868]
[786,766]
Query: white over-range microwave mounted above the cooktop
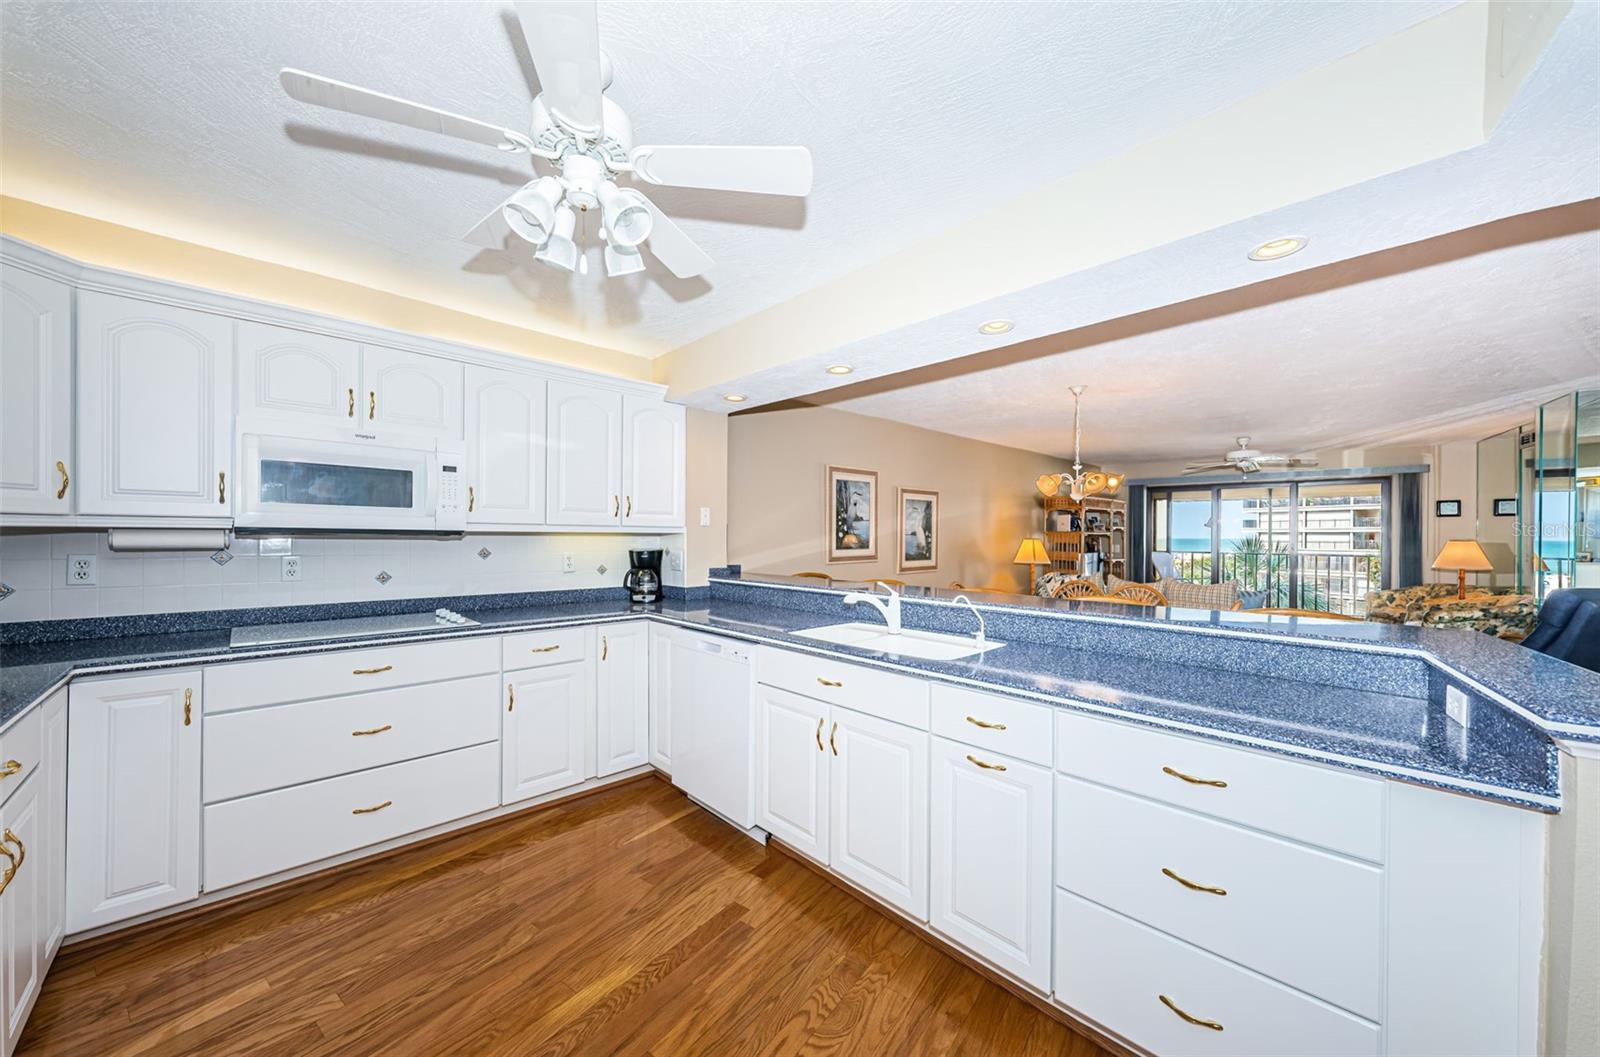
[350,484]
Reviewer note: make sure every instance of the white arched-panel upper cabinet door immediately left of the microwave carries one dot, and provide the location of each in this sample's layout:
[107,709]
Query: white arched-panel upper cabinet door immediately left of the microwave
[156,409]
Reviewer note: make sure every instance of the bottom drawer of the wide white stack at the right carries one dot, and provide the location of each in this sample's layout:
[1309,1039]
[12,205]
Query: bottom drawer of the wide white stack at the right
[1116,971]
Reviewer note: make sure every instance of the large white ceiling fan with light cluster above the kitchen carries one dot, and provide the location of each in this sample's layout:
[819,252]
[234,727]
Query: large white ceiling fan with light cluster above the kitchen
[590,142]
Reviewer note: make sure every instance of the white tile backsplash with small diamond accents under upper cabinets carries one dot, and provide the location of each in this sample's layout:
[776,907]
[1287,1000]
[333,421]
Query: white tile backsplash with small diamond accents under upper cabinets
[332,572]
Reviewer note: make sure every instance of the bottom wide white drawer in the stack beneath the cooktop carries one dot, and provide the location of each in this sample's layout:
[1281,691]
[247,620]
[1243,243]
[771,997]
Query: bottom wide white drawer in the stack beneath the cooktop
[258,836]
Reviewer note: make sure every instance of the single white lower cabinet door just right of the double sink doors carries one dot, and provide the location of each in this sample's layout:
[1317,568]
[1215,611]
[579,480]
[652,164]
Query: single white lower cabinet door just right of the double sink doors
[991,831]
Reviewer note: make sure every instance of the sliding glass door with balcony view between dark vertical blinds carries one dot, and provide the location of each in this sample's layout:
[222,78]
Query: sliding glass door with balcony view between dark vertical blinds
[1303,544]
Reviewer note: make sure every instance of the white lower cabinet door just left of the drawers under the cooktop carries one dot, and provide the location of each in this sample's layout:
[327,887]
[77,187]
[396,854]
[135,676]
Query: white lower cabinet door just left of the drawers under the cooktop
[134,796]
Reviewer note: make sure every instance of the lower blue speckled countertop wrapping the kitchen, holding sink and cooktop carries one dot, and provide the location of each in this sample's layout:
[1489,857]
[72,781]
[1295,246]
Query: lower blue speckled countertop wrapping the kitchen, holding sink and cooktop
[1399,730]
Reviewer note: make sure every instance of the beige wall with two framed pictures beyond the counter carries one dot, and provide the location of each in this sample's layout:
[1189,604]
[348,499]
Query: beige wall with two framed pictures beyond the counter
[780,517]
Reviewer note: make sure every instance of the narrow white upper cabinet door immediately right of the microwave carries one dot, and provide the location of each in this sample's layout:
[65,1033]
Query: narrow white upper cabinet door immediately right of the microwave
[506,439]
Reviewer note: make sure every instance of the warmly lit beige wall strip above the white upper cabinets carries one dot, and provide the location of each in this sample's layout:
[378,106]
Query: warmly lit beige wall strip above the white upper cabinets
[130,250]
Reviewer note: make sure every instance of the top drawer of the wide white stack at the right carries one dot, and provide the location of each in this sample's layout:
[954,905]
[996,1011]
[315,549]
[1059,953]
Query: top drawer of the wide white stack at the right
[1316,805]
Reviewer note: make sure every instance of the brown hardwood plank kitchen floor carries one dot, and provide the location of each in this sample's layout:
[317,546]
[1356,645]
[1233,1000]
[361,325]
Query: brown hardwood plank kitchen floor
[630,922]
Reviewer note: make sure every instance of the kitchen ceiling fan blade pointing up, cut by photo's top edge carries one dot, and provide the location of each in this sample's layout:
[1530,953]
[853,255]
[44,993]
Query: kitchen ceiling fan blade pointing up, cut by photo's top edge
[564,39]
